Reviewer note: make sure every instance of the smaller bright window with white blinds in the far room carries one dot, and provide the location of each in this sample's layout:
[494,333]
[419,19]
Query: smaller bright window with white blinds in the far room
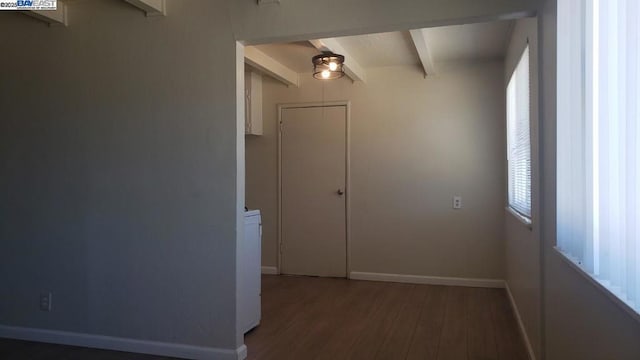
[518,138]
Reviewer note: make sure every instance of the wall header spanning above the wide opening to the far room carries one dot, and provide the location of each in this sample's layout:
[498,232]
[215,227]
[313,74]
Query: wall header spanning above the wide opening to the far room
[308,19]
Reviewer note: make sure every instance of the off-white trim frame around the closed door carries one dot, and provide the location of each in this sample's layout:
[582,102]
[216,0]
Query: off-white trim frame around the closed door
[347,105]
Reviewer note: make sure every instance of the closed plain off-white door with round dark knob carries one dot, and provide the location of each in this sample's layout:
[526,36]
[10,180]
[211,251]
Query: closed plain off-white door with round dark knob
[313,191]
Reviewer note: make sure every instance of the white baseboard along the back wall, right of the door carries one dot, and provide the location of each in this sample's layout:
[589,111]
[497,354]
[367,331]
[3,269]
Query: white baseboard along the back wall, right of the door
[428,280]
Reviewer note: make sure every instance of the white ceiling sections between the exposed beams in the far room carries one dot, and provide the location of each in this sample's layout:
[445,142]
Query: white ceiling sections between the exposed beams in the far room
[471,42]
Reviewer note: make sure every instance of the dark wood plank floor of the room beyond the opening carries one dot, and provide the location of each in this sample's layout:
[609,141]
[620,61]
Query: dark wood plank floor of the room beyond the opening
[319,318]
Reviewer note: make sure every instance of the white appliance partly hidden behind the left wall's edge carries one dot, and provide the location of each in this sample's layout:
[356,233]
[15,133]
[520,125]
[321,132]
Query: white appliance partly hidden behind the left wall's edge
[249,287]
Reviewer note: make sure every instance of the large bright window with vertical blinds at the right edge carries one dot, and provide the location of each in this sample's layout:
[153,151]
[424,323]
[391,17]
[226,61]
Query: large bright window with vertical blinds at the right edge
[598,168]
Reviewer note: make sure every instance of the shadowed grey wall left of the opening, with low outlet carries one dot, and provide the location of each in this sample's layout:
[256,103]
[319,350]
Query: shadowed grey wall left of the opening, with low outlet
[118,173]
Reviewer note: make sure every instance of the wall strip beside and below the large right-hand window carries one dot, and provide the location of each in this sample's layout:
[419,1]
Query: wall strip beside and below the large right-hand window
[580,321]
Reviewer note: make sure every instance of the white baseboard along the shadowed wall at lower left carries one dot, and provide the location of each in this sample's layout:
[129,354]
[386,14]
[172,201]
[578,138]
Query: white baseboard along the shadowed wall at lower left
[122,344]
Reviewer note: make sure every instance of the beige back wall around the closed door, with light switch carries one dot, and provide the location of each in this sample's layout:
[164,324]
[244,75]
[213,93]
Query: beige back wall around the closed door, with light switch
[415,143]
